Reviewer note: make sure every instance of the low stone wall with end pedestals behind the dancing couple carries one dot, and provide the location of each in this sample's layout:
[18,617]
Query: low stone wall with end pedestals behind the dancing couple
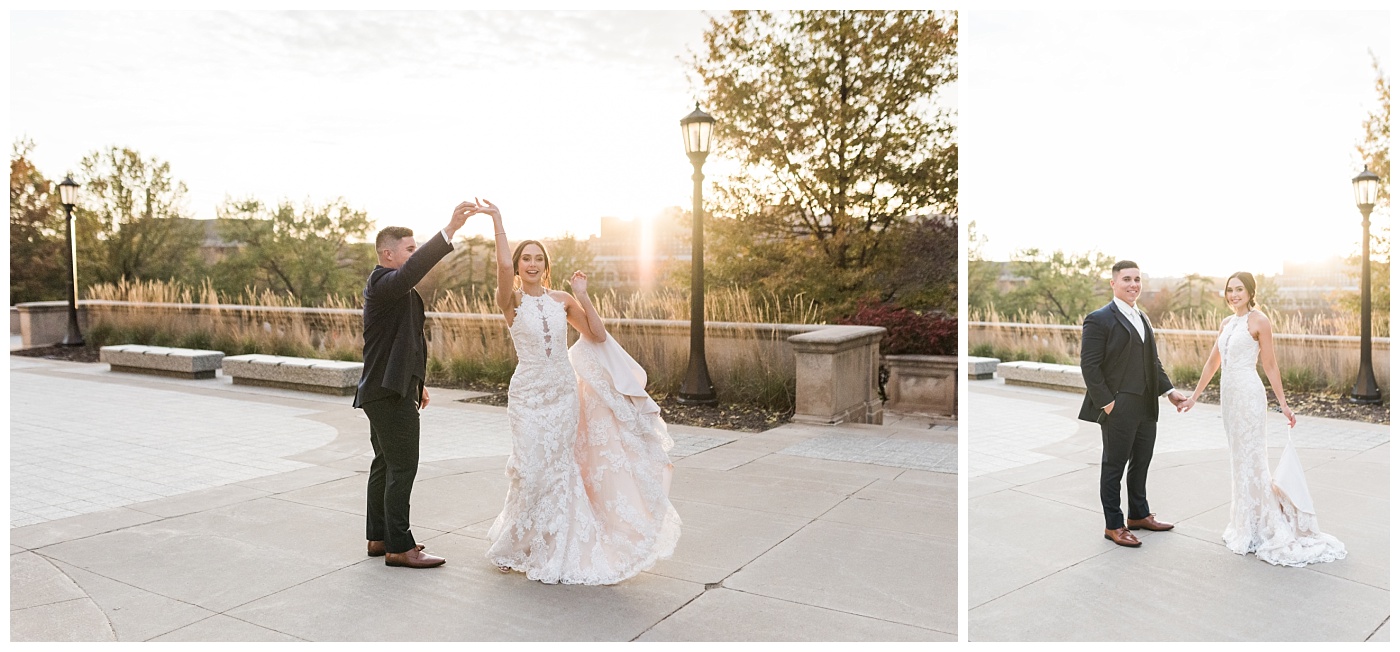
[836,384]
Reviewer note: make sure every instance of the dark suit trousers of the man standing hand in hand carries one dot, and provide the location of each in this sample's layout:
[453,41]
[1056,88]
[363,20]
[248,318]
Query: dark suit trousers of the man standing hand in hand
[1128,441]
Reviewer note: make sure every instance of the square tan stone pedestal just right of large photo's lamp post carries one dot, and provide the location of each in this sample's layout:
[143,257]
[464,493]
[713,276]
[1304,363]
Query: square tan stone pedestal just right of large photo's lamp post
[838,374]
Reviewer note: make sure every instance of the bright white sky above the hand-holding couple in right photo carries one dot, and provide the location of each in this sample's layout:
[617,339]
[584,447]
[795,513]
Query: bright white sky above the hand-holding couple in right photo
[1188,142]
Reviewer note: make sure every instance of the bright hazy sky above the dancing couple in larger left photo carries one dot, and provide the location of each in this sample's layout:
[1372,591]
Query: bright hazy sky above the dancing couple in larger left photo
[559,118]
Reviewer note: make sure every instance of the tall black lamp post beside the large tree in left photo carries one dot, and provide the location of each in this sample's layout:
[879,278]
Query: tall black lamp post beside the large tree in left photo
[698,390]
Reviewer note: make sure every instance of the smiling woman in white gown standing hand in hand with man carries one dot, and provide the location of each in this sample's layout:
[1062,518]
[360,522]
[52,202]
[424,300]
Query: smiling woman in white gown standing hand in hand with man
[1263,520]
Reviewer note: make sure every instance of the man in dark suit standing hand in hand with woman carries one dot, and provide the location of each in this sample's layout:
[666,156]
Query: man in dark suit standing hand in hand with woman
[1123,377]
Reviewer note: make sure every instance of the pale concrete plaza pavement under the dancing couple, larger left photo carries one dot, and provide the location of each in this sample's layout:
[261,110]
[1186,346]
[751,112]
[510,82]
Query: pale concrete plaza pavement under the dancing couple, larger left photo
[162,510]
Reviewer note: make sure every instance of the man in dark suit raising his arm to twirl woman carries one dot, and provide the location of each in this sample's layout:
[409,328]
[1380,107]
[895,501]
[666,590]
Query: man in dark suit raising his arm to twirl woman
[391,388]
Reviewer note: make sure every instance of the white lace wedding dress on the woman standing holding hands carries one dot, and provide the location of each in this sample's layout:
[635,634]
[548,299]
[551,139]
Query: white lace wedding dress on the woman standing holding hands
[1262,518]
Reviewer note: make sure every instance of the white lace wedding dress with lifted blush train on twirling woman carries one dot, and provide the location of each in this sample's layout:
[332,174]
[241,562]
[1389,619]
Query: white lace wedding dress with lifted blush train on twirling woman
[589,471]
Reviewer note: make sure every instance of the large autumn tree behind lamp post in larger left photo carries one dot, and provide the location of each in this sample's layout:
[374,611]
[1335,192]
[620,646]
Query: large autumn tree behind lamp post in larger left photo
[848,188]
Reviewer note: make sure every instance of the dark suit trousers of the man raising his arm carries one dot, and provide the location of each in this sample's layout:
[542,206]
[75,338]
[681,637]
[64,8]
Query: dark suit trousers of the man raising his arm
[394,432]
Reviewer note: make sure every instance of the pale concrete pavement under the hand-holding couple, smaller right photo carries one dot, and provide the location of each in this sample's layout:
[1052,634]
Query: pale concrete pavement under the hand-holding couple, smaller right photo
[1039,569]
